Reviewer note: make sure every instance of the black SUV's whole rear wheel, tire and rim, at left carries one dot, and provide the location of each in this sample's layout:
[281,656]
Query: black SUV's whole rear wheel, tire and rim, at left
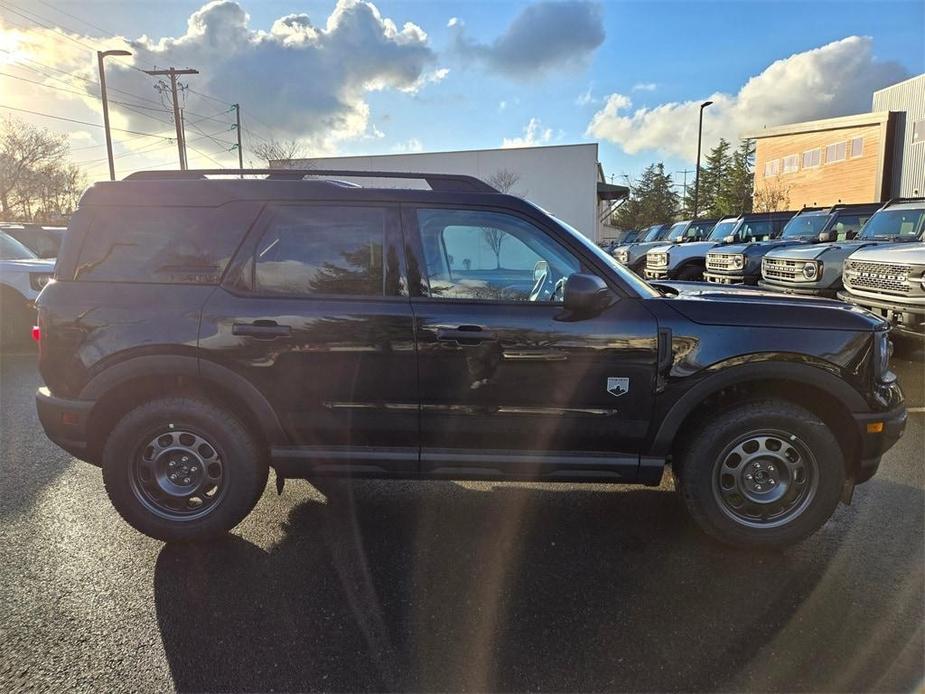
[180,469]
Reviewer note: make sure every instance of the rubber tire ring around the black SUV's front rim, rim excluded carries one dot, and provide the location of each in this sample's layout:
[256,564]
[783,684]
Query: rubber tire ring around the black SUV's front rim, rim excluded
[699,471]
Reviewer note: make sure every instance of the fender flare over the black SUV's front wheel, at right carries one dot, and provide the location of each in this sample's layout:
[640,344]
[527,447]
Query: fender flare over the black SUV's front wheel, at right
[725,377]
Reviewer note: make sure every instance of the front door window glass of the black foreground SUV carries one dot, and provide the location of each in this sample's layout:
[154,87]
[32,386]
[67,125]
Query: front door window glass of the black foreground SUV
[474,254]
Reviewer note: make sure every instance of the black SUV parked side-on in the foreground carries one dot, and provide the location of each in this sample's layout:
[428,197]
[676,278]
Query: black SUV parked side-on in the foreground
[201,330]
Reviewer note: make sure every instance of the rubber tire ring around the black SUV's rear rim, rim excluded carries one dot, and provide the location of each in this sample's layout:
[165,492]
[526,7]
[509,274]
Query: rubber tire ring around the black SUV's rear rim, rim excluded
[244,476]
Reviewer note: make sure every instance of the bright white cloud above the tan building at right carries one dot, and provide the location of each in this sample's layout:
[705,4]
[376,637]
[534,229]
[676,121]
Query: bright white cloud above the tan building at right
[836,79]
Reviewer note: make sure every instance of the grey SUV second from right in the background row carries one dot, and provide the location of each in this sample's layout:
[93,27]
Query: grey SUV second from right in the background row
[816,270]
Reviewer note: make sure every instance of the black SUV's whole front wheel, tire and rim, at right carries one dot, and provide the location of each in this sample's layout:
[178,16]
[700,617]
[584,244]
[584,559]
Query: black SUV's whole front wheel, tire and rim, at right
[760,457]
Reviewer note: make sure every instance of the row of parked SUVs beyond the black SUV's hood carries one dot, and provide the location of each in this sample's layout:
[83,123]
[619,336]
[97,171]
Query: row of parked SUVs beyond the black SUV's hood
[806,253]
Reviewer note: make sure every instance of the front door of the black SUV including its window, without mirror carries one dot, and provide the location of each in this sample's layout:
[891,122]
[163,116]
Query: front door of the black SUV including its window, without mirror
[502,376]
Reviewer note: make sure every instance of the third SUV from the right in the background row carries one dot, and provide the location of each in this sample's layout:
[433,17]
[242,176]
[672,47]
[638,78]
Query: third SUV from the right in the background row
[810,225]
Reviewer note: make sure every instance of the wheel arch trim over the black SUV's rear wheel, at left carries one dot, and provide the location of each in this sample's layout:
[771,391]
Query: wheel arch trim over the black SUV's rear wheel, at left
[135,380]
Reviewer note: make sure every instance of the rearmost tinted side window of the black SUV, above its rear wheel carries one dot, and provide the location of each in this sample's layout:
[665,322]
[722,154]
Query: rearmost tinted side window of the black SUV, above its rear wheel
[168,245]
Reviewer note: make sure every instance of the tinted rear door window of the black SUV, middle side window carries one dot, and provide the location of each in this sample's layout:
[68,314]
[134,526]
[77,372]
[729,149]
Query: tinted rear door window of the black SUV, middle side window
[322,250]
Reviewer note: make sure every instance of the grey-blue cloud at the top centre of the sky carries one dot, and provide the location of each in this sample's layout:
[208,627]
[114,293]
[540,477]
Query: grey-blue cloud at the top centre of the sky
[543,36]
